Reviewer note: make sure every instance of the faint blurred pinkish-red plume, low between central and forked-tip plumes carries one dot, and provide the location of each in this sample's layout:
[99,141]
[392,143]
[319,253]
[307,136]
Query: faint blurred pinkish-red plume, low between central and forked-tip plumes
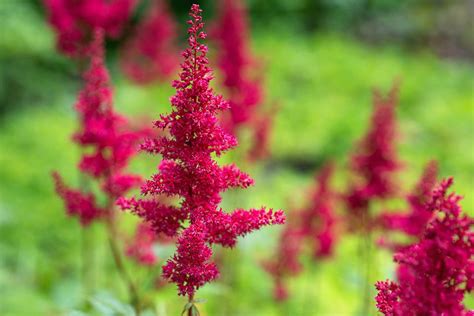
[315,225]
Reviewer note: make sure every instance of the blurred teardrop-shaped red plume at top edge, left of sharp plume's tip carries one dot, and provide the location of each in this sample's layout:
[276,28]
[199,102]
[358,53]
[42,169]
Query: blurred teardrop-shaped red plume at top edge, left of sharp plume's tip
[150,53]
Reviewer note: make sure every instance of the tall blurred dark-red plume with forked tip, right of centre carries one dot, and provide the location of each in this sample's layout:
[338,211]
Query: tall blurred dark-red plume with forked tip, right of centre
[375,159]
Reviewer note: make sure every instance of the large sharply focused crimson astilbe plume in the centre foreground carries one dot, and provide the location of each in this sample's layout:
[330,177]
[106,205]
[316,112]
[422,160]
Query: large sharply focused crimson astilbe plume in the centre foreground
[189,171]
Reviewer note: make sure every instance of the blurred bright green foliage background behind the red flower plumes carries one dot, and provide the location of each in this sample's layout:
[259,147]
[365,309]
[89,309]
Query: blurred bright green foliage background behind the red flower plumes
[321,60]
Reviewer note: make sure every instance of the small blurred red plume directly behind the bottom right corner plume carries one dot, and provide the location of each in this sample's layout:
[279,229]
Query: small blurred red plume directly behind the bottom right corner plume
[413,223]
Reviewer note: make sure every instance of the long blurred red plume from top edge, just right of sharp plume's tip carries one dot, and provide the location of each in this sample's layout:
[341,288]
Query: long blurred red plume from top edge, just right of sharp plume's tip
[239,69]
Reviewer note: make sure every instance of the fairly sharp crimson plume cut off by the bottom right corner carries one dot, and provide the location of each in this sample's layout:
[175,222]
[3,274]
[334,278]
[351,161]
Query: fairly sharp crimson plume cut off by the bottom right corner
[437,271]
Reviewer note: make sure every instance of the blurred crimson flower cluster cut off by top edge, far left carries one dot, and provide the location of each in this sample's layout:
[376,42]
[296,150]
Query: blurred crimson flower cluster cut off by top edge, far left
[75,21]
